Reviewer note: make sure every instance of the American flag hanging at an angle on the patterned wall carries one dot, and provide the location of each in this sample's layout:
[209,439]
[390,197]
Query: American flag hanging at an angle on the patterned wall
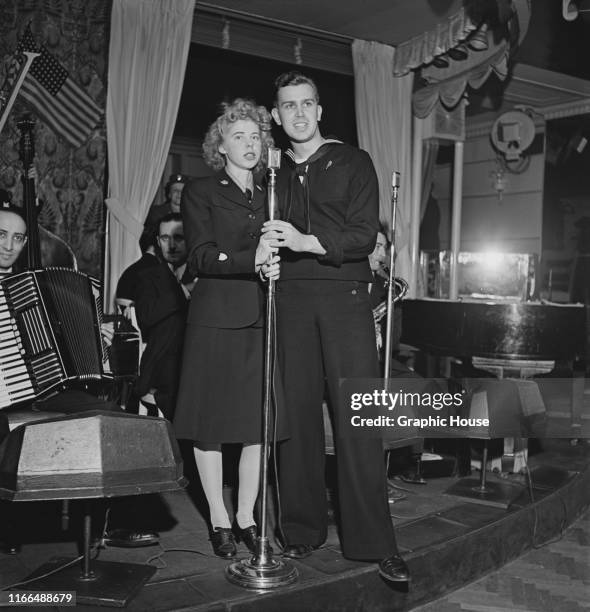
[62,104]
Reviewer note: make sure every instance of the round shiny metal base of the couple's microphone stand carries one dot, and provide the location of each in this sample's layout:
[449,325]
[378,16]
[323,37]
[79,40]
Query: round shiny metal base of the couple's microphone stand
[261,572]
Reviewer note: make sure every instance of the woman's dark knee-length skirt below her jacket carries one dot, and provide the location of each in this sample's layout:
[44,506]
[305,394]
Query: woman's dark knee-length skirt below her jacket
[221,385]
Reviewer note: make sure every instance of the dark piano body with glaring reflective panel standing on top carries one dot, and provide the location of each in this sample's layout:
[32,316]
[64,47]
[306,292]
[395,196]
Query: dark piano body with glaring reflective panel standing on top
[497,314]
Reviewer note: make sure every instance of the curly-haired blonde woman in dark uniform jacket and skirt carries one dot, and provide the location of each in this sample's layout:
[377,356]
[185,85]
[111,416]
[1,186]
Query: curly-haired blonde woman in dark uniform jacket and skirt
[220,395]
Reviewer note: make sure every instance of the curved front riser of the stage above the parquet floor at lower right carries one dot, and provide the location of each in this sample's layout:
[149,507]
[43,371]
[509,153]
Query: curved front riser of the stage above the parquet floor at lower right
[436,570]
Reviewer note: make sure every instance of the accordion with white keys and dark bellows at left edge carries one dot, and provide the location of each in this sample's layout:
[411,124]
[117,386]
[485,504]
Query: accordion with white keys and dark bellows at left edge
[49,333]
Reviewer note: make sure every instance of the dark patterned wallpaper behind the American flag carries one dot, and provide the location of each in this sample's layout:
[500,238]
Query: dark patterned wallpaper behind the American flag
[71,182]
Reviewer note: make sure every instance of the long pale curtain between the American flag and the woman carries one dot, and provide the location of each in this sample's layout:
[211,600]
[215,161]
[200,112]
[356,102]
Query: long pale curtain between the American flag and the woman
[147,61]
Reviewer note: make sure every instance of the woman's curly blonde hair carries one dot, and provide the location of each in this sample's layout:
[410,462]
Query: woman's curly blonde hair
[240,108]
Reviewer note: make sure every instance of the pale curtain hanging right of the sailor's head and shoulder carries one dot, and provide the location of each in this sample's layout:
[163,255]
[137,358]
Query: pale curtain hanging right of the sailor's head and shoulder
[384,125]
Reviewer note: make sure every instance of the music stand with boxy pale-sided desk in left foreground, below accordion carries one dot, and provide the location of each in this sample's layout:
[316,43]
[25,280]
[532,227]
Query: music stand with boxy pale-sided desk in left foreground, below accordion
[87,456]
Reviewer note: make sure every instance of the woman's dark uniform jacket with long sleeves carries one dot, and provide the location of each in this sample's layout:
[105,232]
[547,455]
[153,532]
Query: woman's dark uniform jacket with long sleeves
[222,231]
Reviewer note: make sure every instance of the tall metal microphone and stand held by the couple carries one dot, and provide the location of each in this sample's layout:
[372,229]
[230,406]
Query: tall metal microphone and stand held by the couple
[262,571]
